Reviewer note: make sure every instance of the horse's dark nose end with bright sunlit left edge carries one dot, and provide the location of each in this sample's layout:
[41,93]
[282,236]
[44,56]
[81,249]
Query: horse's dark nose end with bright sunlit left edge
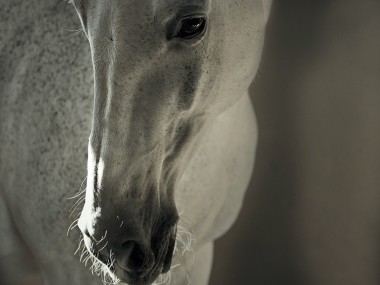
[133,251]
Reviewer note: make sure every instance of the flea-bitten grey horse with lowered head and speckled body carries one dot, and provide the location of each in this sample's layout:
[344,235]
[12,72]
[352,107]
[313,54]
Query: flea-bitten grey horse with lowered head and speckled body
[162,89]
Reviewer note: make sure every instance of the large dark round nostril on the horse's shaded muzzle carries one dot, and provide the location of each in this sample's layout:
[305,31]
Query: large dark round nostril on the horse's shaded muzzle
[135,259]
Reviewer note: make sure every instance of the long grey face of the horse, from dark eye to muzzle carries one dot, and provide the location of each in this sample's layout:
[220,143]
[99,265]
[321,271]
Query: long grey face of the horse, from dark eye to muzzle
[163,69]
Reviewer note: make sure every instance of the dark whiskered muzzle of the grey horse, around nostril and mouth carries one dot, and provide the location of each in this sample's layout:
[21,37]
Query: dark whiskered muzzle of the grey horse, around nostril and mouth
[132,259]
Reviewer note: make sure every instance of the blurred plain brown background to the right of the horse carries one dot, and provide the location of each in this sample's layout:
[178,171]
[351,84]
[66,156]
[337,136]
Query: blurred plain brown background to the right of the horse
[312,213]
